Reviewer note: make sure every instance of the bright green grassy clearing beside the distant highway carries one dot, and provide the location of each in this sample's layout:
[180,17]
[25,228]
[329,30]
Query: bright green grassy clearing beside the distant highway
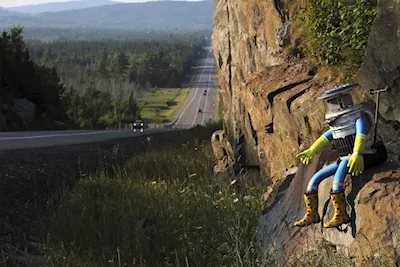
[160,105]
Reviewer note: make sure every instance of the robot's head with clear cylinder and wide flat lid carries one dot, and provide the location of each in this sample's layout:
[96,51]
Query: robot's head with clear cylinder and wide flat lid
[340,100]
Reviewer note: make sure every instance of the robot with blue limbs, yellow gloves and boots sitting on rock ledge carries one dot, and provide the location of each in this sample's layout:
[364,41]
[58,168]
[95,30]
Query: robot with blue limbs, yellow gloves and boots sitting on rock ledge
[351,133]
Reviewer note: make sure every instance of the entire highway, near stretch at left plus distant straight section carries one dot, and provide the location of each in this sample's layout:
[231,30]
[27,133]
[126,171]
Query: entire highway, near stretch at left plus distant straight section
[202,96]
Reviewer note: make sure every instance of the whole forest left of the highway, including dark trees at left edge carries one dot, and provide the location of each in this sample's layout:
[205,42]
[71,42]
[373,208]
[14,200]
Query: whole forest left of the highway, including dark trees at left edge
[94,83]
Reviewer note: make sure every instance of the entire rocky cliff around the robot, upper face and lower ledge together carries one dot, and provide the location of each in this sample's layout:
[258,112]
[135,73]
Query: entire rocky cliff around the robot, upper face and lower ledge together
[270,113]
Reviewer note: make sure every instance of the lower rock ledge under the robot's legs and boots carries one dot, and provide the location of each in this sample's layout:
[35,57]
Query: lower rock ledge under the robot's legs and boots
[374,232]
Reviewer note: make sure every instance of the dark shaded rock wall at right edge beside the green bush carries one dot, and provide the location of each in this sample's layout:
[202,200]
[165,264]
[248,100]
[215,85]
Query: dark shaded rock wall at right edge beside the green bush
[381,68]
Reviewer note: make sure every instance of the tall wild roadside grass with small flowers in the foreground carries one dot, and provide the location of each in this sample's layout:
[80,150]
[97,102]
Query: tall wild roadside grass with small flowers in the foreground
[162,208]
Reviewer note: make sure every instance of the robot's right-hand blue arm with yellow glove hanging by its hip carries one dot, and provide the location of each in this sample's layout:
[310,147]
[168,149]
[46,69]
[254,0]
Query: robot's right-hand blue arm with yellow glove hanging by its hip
[356,161]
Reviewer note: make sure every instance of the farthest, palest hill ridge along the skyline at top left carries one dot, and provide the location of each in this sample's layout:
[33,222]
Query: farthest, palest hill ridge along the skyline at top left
[55,7]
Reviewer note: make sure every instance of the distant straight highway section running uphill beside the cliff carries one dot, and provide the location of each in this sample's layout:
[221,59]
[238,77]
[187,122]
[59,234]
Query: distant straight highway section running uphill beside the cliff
[202,97]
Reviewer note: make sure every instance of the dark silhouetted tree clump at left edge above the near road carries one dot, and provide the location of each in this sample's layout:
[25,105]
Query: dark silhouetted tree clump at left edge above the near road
[21,78]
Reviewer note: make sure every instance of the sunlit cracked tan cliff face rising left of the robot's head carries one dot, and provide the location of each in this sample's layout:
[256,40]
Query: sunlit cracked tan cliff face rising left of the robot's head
[269,103]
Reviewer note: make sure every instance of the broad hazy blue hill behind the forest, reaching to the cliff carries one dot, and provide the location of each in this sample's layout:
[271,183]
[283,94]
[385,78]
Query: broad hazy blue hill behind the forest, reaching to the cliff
[148,15]
